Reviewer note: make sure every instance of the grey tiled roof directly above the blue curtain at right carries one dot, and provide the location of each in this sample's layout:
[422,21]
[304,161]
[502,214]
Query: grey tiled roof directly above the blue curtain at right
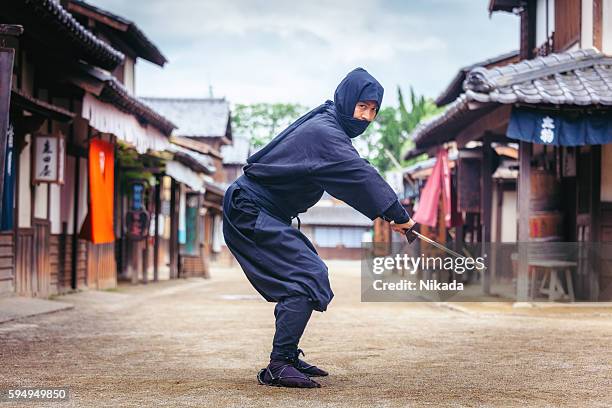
[575,78]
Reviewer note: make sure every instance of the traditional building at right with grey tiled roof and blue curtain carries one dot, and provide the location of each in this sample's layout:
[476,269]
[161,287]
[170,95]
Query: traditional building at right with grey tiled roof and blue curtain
[554,107]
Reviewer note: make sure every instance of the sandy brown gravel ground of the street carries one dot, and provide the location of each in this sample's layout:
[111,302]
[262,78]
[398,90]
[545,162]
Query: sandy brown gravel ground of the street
[200,343]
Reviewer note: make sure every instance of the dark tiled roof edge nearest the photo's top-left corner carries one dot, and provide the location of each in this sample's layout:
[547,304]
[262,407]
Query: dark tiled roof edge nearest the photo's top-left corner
[56,27]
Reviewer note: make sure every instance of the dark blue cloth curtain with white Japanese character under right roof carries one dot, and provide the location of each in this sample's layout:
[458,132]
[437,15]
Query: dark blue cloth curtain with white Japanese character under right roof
[560,129]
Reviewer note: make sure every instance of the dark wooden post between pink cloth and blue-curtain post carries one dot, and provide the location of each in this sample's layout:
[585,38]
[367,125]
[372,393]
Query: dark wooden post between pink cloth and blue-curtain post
[486,194]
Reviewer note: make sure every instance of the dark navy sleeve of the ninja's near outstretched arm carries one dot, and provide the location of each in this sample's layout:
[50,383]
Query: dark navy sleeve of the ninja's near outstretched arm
[339,170]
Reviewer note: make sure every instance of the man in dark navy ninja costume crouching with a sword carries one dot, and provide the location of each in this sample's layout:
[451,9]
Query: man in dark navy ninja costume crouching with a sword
[285,178]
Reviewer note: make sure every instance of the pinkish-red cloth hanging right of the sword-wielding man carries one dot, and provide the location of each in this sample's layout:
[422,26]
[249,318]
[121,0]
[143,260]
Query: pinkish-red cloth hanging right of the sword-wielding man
[438,182]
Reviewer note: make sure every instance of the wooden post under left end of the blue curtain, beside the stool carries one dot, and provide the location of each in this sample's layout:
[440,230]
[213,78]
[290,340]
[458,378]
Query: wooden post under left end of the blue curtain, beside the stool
[522,280]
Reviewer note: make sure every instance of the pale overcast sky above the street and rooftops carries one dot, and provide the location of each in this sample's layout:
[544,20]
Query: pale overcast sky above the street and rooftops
[298,51]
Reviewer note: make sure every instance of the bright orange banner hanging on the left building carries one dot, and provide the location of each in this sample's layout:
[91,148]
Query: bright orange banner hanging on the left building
[101,190]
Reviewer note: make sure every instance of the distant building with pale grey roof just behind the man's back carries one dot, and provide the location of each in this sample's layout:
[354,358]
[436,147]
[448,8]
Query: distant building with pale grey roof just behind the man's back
[204,125]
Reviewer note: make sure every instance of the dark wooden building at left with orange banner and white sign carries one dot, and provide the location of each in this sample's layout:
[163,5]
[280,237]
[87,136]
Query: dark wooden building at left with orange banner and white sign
[69,117]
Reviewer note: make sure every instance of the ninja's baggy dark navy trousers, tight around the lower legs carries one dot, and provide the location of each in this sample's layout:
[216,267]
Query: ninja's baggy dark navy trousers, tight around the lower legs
[280,262]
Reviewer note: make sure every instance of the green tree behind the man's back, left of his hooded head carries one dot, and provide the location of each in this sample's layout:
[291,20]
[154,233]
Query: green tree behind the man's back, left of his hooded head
[260,122]
